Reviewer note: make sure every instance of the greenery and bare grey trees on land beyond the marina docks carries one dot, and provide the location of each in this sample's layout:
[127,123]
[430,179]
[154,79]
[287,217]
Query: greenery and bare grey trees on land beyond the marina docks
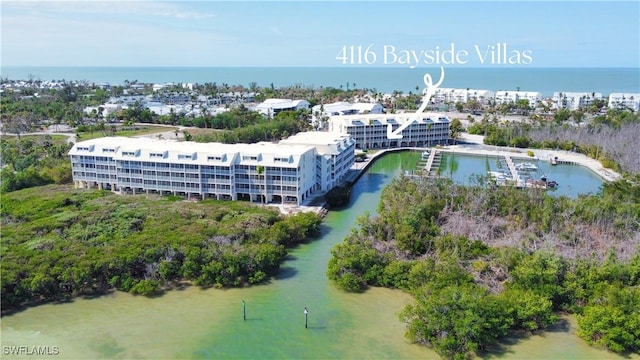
[606,137]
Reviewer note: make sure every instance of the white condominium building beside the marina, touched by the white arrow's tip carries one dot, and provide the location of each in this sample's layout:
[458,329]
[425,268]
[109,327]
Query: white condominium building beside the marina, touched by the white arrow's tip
[383,131]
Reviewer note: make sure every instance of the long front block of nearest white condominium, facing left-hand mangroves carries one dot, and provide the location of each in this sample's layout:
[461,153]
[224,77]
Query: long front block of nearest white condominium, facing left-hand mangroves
[262,172]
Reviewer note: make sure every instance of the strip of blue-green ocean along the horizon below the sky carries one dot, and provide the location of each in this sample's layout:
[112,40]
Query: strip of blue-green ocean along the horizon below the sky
[381,79]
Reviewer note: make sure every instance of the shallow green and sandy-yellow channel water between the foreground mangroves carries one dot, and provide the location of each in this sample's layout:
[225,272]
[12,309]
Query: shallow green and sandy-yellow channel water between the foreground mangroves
[195,323]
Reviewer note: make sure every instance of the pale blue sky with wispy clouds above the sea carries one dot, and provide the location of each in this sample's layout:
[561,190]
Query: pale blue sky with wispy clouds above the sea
[305,33]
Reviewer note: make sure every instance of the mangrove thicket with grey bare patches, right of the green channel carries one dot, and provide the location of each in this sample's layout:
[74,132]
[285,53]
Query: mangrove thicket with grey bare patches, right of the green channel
[483,261]
